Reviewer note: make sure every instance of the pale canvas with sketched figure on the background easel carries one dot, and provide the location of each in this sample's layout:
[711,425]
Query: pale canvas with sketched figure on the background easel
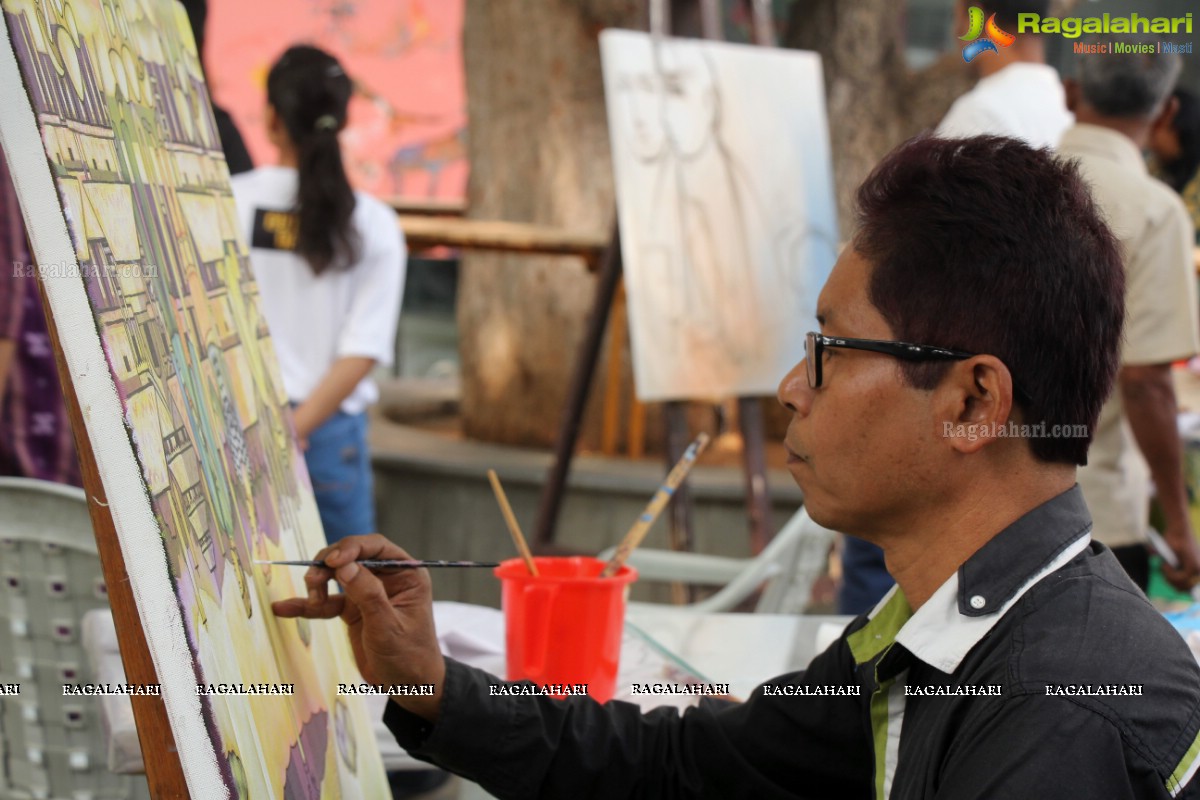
[727,208]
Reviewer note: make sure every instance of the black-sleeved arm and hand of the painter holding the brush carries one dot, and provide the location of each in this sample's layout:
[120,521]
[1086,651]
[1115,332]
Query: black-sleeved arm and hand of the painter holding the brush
[542,748]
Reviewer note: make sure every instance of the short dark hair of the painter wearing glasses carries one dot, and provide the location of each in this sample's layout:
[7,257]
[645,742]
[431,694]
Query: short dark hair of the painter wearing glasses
[989,246]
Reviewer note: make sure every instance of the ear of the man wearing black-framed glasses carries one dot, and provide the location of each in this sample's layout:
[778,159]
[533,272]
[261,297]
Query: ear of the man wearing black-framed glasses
[976,402]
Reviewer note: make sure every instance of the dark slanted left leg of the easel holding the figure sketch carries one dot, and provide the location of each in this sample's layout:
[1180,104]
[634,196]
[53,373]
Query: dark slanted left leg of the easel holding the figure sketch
[578,395]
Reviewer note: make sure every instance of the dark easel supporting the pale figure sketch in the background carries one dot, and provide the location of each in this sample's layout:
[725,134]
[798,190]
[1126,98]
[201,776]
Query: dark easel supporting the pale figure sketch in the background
[749,412]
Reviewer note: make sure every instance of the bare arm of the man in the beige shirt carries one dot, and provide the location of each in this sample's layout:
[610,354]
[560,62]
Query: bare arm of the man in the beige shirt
[1149,395]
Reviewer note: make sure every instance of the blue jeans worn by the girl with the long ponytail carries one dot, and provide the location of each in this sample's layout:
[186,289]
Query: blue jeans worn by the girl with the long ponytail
[340,468]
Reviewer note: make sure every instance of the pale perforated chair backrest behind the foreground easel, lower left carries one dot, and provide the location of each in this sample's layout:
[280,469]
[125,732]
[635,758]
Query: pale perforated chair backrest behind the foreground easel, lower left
[50,576]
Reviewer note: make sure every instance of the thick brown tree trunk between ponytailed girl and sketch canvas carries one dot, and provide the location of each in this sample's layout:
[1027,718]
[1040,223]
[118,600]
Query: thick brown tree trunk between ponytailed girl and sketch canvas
[539,153]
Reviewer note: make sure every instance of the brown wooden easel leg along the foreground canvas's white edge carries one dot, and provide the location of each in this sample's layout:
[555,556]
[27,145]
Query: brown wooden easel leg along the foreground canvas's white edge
[165,774]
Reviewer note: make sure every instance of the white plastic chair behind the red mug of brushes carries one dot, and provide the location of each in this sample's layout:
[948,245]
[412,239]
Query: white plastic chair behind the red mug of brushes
[789,566]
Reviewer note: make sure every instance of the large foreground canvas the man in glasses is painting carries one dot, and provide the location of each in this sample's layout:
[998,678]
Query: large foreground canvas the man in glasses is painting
[110,135]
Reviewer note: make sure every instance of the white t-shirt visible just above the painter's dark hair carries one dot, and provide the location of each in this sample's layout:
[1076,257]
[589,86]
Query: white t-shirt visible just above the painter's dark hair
[1024,101]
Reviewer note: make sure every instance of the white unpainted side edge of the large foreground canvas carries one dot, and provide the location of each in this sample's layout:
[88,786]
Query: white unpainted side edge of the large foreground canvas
[121,474]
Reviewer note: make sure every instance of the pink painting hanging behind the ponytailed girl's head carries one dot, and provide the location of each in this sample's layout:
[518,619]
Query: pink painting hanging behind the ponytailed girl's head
[406,135]
